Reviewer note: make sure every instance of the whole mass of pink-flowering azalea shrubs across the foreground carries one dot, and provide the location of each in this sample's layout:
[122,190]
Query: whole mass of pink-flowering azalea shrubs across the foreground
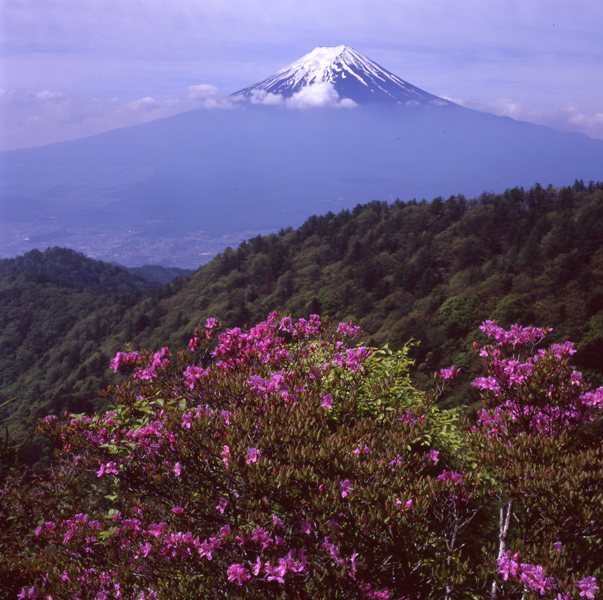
[286,460]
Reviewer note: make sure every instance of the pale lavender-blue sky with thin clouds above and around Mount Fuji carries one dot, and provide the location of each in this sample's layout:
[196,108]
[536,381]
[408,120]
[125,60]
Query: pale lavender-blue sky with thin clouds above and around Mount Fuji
[74,67]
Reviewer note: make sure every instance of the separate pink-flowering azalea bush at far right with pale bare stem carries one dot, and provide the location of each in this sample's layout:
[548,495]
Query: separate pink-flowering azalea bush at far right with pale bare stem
[538,436]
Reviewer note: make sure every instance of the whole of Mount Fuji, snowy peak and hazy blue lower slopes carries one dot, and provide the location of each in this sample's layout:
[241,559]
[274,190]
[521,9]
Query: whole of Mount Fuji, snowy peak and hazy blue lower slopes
[329,131]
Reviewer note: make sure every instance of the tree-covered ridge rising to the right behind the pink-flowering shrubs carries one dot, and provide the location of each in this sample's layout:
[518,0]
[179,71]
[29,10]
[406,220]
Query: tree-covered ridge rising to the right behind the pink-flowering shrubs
[427,271]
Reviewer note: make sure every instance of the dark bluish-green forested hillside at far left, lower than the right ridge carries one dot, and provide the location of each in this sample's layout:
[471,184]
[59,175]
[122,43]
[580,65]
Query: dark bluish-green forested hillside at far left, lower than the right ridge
[58,308]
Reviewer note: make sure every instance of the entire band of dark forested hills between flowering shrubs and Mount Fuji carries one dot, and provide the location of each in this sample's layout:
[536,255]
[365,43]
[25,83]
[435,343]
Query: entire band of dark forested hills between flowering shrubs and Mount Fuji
[426,271]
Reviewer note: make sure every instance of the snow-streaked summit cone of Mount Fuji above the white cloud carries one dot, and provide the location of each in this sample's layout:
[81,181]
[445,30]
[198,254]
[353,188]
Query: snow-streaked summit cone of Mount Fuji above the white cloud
[353,76]
